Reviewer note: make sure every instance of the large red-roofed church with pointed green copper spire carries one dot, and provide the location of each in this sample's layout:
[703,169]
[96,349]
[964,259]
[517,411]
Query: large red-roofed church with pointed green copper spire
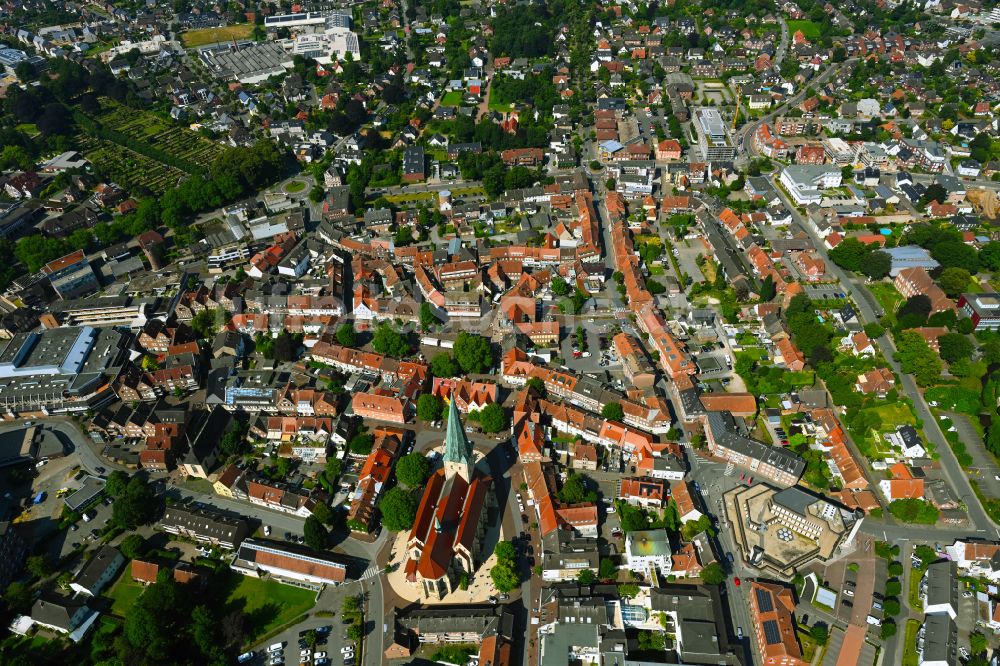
[445,543]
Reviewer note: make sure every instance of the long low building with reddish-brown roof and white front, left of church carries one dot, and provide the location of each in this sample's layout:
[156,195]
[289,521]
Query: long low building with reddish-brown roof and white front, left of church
[296,567]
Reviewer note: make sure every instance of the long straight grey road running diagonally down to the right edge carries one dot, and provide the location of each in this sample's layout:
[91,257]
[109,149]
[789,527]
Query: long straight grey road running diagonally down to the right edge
[868,311]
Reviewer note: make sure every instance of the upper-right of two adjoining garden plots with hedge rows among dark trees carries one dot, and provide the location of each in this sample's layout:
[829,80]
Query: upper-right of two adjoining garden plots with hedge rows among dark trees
[148,128]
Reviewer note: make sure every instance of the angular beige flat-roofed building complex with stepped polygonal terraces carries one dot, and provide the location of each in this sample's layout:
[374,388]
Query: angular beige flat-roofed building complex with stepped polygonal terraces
[781,531]
